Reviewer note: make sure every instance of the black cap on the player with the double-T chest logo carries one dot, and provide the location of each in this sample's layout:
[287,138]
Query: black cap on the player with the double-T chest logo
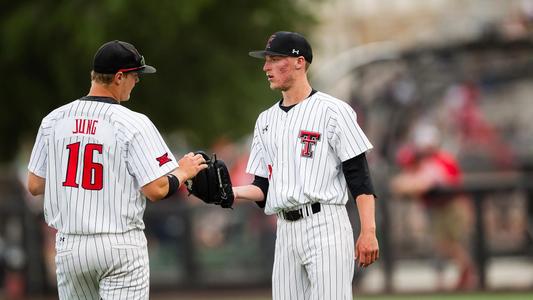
[285,43]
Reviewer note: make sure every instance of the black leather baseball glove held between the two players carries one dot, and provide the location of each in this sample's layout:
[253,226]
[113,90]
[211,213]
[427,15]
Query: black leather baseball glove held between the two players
[213,184]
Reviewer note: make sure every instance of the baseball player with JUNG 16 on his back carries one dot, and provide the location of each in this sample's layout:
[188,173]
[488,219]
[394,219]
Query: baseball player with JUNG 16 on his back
[93,160]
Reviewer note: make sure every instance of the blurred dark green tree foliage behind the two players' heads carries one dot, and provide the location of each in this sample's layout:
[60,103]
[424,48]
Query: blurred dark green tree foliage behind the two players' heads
[206,85]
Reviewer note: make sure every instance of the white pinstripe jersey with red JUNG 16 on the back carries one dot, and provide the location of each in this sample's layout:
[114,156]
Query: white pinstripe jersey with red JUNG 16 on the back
[95,156]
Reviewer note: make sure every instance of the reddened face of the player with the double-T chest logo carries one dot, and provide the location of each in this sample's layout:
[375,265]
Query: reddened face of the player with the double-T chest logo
[280,71]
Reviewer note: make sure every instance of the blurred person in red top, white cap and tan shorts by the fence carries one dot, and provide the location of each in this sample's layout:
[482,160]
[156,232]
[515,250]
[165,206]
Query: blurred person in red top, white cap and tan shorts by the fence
[426,168]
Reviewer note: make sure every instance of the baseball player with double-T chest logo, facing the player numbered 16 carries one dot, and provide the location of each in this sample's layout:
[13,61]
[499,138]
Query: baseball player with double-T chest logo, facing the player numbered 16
[306,150]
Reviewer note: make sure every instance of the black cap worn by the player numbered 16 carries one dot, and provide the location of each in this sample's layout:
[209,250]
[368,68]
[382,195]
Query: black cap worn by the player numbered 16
[117,56]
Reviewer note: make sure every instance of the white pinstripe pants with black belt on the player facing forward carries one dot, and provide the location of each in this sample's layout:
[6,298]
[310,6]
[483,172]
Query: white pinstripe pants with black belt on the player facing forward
[314,256]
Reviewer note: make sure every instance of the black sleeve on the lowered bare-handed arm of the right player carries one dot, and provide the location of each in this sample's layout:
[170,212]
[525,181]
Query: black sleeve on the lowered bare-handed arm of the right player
[358,176]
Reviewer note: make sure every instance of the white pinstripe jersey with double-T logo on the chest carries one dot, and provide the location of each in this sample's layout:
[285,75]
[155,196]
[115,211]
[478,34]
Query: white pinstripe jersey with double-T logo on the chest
[301,151]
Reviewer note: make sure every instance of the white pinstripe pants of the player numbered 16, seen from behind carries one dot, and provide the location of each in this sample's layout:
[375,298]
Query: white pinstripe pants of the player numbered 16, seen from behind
[102,266]
